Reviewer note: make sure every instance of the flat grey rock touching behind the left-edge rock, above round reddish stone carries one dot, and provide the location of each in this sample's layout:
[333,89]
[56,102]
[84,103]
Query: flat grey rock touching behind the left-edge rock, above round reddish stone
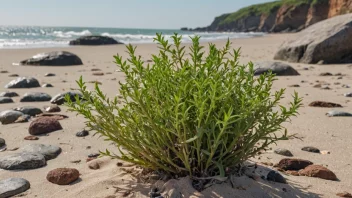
[49,151]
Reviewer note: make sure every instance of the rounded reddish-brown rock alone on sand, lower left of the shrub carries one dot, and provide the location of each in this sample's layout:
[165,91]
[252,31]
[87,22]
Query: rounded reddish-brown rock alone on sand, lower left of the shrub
[62,176]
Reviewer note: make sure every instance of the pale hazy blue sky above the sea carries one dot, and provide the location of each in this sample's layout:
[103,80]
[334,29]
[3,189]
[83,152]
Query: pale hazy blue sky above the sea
[156,14]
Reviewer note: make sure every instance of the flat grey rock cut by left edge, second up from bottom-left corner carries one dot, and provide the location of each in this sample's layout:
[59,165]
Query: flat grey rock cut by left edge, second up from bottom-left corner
[22,161]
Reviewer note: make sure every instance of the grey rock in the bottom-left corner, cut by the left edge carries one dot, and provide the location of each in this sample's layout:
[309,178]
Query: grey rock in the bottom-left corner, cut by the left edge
[13,186]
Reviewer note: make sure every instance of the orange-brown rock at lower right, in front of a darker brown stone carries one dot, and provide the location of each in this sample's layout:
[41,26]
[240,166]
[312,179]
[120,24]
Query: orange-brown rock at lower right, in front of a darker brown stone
[318,171]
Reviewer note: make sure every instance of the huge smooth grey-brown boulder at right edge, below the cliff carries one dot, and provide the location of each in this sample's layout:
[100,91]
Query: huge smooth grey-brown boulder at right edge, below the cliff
[329,41]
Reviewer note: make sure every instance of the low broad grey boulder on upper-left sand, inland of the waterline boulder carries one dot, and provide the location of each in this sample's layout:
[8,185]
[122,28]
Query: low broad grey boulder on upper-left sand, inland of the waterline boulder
[56,58]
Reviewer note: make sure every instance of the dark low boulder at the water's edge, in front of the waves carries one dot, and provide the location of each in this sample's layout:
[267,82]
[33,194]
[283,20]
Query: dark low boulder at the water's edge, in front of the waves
[94,40]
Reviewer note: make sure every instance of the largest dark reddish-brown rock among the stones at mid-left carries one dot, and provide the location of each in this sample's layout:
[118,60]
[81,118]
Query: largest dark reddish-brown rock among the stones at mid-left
[44,125]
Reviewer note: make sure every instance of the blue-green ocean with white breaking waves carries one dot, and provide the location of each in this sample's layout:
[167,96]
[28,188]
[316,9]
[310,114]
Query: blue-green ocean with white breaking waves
[35,36]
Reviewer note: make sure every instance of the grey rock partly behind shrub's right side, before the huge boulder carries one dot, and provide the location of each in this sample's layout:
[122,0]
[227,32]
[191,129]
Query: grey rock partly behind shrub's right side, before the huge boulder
[277,68]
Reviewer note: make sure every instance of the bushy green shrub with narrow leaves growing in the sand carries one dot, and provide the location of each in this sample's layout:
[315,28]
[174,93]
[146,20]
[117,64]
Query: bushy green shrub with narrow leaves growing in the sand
[199,116]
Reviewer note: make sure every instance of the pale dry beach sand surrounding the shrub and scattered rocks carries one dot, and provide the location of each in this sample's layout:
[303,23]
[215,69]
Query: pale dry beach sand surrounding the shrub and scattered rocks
[315,128]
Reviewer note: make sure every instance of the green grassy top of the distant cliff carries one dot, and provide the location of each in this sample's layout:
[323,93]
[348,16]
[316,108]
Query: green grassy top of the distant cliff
[259,9]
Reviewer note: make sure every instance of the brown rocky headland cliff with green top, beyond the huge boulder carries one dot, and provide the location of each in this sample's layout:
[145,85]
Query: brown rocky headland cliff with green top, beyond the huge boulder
[279,16]
